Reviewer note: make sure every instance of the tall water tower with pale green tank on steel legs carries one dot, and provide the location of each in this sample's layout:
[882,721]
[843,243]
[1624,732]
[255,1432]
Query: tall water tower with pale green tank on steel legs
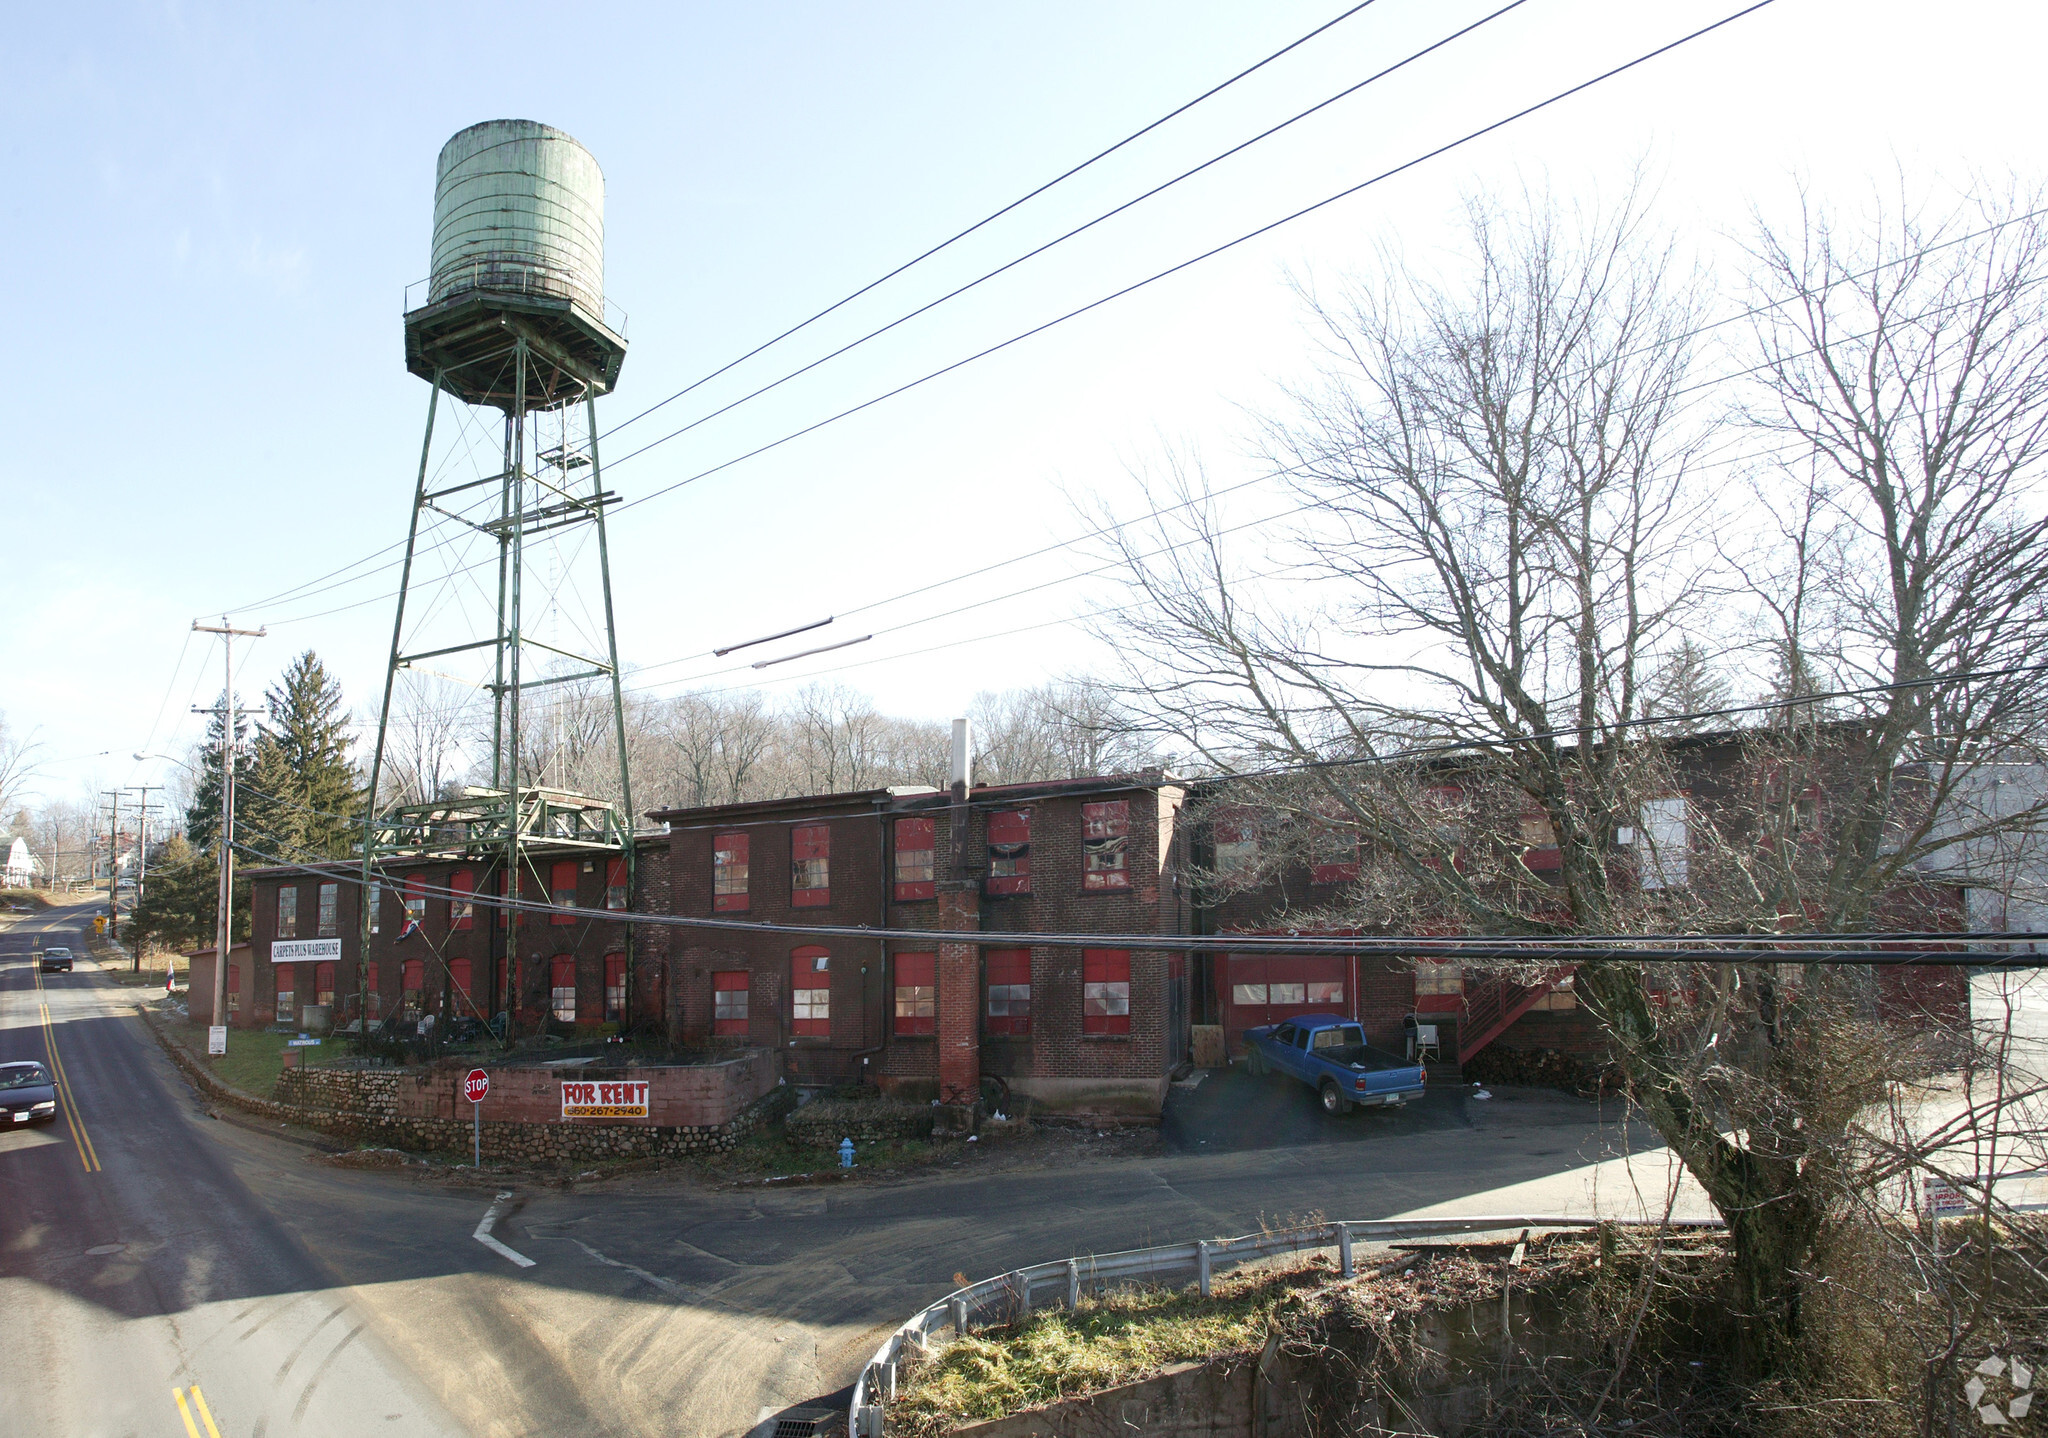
[513,319]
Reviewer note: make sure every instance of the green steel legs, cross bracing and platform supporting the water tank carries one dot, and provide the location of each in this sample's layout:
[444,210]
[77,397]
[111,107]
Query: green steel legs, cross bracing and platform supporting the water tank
[505,353]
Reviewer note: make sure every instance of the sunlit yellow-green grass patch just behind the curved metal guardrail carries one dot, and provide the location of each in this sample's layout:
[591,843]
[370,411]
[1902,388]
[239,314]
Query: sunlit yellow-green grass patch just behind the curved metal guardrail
[1117,1339]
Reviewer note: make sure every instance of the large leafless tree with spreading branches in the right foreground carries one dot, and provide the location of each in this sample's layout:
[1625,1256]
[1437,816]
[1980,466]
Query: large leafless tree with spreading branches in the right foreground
[1506,540]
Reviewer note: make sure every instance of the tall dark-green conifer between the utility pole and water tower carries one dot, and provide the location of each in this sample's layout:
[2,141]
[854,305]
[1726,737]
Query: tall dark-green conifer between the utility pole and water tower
[302,765]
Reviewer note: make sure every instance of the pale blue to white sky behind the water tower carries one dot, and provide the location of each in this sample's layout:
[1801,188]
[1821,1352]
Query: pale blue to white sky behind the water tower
[214,212]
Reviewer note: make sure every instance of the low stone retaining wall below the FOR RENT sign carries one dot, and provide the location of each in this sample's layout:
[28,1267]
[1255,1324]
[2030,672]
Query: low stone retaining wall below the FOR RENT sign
[394,1107]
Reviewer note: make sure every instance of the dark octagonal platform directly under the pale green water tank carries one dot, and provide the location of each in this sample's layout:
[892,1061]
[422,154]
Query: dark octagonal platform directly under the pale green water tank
[468,339]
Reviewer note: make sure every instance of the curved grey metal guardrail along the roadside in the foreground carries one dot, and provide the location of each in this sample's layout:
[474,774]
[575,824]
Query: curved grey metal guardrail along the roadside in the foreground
[1011,1298]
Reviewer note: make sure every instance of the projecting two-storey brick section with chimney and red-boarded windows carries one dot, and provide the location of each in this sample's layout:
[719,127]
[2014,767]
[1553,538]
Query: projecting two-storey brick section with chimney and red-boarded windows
[1097,1027]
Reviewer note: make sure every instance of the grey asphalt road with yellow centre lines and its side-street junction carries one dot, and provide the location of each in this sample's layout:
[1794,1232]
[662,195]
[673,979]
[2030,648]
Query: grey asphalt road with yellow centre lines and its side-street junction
[165,1249]
